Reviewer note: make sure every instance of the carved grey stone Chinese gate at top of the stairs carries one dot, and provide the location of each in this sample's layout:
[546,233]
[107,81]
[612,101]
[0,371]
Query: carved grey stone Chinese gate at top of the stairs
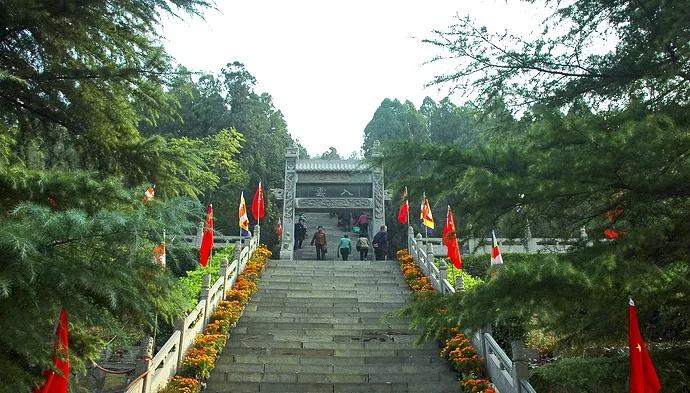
[327,186]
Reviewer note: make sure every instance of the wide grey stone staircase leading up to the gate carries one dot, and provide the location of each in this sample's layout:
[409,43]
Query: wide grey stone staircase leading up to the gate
[324,326]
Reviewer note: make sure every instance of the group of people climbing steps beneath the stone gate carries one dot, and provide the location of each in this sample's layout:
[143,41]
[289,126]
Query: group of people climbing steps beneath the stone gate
[379,242]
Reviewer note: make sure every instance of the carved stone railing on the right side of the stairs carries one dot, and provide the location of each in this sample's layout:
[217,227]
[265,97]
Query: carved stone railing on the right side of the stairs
[509,375]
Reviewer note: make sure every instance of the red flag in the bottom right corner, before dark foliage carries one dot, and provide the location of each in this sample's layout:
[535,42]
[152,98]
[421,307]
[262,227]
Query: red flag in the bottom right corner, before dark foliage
[643,378]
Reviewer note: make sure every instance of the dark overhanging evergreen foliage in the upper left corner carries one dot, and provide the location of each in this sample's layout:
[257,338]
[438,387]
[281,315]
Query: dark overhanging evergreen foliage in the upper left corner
[73,69]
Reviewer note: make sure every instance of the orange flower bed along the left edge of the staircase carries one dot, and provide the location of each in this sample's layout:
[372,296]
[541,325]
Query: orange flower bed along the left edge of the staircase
[201,358]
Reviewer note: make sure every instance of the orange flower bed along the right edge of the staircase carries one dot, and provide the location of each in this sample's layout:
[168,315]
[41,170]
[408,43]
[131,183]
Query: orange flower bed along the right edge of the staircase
[457,348]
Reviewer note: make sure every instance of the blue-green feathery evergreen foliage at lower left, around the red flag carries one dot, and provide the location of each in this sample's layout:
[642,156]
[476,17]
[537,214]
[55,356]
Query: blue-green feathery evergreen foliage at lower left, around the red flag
[93,259]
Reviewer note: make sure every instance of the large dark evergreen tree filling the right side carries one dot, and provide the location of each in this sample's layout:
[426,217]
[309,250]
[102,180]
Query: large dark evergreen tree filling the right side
[603,145]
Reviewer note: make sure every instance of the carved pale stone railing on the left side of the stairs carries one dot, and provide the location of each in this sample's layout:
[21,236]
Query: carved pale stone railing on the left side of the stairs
[154,372]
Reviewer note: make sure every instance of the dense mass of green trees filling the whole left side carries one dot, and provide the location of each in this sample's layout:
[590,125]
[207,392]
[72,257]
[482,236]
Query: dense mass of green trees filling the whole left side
[93,111]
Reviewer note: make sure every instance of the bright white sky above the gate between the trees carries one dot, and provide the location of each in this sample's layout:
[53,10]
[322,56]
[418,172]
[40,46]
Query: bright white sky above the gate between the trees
[328,65]
